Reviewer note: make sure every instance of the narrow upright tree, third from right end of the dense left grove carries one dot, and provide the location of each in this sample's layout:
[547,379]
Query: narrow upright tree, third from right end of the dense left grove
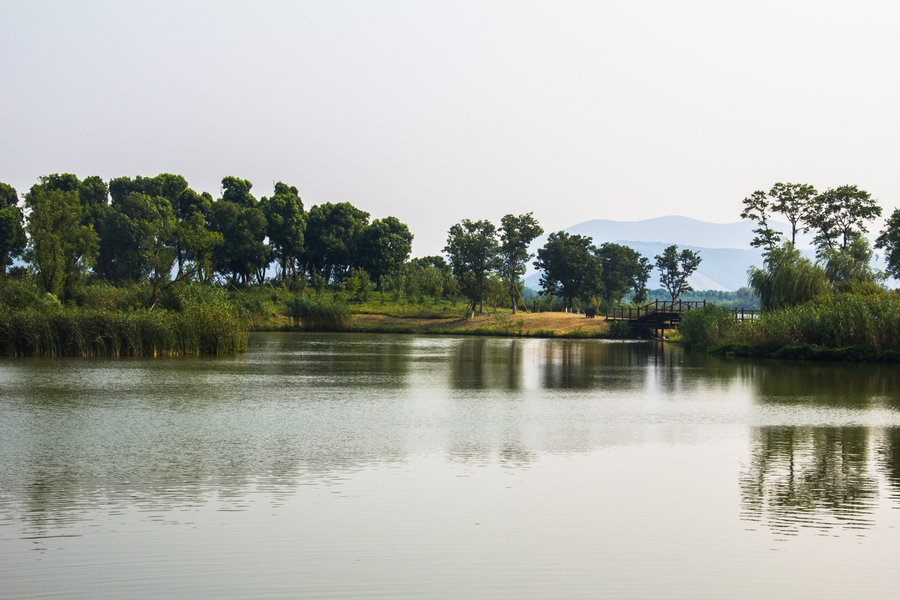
[285,227]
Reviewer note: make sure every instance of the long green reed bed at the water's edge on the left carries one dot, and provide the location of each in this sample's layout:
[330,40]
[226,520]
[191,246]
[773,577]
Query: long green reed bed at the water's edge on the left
[90,332]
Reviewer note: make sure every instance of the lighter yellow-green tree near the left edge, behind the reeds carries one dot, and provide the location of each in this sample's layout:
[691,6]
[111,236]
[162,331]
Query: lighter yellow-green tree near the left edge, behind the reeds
[61,248]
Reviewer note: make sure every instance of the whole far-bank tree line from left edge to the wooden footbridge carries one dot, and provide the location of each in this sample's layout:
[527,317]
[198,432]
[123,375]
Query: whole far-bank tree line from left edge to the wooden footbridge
[159,231]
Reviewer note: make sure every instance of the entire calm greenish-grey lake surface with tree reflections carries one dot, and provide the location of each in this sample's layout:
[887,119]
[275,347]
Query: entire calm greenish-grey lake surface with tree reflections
[354,466]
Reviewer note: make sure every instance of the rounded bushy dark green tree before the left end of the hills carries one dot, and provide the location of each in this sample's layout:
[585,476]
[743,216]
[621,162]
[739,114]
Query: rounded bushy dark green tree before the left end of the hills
[569,268]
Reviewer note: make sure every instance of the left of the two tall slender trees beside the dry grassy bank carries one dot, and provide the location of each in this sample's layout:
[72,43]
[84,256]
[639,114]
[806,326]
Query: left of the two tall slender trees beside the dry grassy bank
[472,252]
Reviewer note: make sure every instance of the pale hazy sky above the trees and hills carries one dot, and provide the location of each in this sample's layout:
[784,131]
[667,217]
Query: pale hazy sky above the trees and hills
[439,111]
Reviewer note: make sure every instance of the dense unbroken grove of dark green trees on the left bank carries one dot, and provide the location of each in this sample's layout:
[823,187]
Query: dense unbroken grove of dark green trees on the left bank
[158,229]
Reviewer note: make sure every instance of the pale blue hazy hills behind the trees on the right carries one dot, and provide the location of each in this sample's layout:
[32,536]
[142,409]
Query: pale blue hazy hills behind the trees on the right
[724,247]
